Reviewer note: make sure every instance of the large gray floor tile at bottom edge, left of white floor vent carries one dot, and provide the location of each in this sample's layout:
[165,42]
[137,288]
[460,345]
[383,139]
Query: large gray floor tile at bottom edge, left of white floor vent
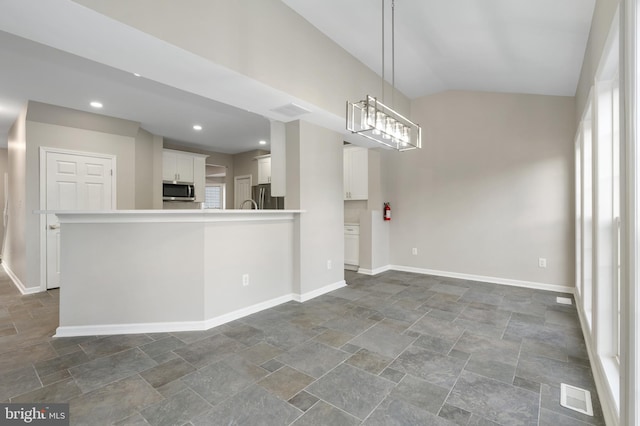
[494,400]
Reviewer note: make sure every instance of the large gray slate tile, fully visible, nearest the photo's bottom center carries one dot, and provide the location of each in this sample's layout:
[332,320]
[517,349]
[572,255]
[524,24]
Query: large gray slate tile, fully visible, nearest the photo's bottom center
[351,390]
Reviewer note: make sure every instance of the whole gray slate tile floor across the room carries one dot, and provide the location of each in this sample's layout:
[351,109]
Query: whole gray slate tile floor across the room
[394,349]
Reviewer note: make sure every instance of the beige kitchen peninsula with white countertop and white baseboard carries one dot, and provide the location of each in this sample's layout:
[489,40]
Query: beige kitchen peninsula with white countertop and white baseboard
[143,271]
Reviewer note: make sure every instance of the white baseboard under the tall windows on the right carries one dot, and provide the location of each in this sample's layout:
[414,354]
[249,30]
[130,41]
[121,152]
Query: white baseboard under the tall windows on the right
[603,387]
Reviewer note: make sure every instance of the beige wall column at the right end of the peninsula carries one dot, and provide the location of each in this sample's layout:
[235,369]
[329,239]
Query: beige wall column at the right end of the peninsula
[314,184]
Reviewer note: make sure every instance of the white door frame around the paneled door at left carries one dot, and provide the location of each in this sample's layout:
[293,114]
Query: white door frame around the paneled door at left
[43,198]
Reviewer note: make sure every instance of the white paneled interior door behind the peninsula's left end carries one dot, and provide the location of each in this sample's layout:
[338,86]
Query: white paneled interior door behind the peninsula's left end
[73,182]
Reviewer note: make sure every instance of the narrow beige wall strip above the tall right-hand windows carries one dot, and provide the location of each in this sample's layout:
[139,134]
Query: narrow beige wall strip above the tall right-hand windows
[602,18]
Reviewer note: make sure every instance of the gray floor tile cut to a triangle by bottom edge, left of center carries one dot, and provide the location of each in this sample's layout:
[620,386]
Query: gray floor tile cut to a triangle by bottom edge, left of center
[253,406]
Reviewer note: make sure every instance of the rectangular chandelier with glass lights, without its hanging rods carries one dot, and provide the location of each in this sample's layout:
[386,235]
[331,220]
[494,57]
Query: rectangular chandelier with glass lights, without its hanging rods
[376,121]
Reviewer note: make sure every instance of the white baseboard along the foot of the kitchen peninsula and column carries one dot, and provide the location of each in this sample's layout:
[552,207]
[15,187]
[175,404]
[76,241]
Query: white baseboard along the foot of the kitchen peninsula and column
[165,327]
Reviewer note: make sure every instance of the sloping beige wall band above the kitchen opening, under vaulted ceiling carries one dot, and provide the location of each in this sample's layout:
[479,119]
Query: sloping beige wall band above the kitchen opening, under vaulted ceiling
[264,40]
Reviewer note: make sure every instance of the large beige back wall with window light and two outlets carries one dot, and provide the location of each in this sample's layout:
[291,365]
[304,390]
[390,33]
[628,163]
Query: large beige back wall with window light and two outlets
[490,191]
